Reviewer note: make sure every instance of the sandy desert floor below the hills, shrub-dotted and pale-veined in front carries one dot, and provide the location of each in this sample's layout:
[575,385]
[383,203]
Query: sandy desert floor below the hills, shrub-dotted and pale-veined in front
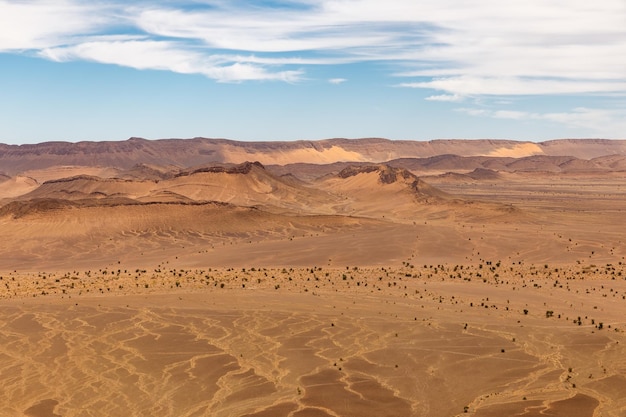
[514,311]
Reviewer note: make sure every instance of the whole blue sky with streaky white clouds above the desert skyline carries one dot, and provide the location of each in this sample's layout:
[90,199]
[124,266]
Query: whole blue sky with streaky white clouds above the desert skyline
[92,70]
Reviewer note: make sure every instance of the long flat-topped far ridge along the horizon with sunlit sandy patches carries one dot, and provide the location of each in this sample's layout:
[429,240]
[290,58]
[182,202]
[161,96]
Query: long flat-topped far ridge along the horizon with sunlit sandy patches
[184,153]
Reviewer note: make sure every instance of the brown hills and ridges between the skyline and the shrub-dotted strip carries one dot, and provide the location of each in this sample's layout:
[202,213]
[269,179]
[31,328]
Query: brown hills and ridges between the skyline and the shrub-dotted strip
[370,201]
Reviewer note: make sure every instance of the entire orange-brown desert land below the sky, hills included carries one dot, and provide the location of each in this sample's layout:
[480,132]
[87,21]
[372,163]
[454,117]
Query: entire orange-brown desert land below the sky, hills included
[330,278]
